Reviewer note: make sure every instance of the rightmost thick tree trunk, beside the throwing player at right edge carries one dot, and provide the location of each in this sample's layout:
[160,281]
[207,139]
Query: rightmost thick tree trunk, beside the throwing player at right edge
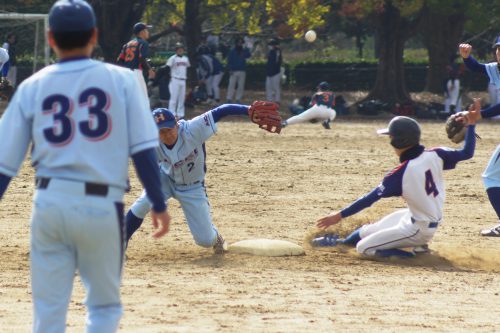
[442,33]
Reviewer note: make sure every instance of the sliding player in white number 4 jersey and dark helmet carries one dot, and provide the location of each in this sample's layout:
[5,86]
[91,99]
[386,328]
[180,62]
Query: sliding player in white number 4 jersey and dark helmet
[419,180]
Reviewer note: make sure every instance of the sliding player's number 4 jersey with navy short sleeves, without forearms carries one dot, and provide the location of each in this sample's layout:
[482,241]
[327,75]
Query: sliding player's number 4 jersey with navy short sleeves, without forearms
[420,182]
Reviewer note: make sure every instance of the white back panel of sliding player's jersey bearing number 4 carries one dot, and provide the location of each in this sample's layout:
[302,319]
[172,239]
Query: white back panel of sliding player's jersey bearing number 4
[423,187]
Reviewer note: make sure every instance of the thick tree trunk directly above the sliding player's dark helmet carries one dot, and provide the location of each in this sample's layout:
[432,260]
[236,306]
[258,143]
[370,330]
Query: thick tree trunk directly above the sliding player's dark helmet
[393,31]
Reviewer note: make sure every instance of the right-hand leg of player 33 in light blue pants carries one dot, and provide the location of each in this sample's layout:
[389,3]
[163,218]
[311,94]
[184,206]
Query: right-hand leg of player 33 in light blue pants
[100,253]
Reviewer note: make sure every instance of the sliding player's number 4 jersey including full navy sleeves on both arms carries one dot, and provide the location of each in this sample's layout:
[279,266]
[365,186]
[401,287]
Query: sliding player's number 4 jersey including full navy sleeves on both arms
[419,180]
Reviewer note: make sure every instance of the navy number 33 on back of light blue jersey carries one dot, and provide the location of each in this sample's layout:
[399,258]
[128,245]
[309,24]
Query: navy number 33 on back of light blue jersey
[97,102]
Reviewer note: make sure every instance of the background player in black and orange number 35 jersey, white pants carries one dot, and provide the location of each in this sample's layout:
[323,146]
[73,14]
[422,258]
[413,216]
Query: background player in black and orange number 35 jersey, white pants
[134,55]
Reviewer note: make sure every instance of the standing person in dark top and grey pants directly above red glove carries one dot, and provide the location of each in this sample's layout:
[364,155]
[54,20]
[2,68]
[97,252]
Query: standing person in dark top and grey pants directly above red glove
[273,71]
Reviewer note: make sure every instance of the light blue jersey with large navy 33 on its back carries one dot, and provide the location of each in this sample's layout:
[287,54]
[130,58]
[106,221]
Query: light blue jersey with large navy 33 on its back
[78,114]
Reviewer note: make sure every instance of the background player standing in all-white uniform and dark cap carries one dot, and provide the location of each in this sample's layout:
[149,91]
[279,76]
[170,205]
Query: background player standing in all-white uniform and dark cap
[178,64]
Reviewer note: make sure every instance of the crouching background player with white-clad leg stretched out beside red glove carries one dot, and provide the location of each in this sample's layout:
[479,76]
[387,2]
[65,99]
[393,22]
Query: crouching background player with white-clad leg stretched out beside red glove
[321,109]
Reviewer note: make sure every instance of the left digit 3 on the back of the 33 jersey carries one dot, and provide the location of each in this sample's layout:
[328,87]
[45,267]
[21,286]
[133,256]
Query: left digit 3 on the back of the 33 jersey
[61,119]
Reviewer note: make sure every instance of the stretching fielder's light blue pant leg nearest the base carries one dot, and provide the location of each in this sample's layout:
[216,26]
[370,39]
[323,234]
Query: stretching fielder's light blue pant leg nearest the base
[194,203]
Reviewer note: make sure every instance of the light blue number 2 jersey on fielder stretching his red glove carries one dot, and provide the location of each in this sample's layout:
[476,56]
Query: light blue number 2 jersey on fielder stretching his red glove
[185,162]
